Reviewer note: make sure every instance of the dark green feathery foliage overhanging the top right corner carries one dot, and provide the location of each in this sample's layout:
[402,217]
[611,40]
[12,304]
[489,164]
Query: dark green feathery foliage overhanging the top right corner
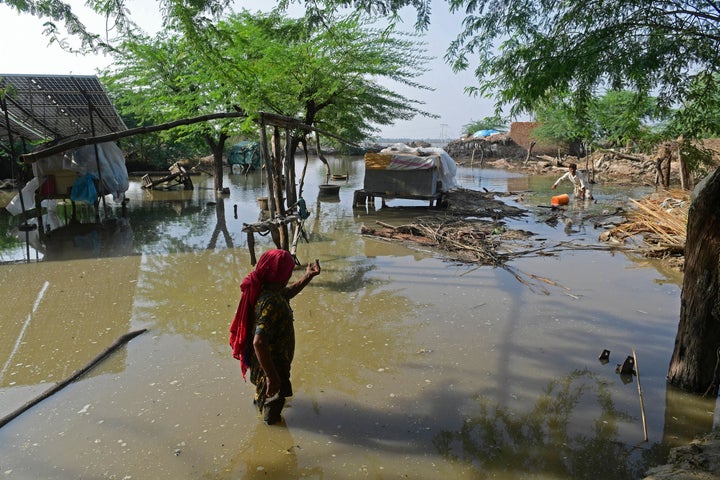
[533,50]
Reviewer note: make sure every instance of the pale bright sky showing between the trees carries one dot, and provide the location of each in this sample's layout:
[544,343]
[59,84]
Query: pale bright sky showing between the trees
[25,50]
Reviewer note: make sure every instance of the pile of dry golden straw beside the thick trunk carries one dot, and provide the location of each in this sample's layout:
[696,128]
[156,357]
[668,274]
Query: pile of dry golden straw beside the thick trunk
[661,222]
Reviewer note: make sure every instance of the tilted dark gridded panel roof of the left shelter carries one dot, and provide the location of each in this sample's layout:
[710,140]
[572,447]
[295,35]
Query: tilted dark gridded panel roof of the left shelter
[52,107]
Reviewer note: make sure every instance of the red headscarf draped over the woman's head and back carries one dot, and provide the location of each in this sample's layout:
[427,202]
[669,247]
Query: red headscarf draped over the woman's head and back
[273,266]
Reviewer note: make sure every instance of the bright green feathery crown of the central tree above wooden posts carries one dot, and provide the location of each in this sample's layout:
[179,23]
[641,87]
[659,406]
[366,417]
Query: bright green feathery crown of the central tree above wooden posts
[329,77]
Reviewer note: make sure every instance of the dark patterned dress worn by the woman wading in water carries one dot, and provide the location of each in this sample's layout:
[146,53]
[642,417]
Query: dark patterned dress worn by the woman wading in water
[274,321]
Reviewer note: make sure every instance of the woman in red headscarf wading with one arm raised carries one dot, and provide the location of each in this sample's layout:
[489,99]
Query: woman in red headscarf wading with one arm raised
[262,334]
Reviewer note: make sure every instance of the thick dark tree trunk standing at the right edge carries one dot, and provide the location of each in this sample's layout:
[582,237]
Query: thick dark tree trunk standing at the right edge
[693,366]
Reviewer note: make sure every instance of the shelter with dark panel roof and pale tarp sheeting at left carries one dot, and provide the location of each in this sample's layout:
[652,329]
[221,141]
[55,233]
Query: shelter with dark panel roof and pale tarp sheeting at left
[53,110]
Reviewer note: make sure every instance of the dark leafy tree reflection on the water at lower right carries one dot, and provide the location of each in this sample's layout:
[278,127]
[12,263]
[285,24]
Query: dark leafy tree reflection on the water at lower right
[572,431]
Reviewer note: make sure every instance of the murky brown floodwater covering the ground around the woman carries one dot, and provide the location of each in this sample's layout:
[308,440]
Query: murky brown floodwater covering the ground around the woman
[407,366]
